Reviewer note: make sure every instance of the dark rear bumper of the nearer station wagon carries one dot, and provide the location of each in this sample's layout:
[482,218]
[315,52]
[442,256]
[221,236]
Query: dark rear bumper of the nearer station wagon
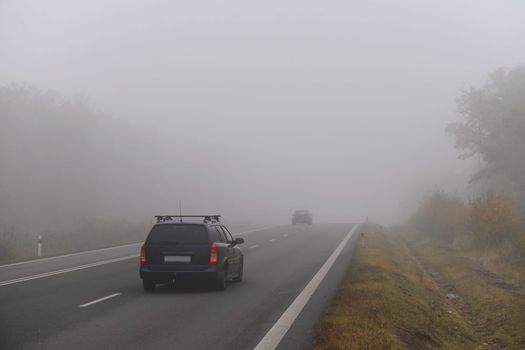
[163,273]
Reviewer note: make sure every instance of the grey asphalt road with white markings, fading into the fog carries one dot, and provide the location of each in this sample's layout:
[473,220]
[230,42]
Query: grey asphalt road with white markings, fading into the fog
[94,300]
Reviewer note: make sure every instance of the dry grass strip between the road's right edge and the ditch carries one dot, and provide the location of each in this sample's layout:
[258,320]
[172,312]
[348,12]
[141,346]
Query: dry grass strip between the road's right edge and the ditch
[388,301]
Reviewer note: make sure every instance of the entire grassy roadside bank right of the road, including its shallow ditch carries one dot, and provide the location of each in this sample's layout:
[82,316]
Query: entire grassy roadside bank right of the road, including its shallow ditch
[394,298]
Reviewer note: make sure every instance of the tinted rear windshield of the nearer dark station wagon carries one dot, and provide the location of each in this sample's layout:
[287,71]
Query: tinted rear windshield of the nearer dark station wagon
[178,234]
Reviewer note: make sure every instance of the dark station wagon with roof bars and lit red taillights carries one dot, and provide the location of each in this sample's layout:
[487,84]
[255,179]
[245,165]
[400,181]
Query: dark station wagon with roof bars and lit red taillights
[186,250]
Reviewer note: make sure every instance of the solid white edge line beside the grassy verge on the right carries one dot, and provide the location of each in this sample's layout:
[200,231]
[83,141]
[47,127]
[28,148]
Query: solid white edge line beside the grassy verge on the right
[274,336]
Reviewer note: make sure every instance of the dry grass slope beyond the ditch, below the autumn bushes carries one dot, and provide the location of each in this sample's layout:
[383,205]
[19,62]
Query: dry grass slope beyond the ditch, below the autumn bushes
[492,300]
